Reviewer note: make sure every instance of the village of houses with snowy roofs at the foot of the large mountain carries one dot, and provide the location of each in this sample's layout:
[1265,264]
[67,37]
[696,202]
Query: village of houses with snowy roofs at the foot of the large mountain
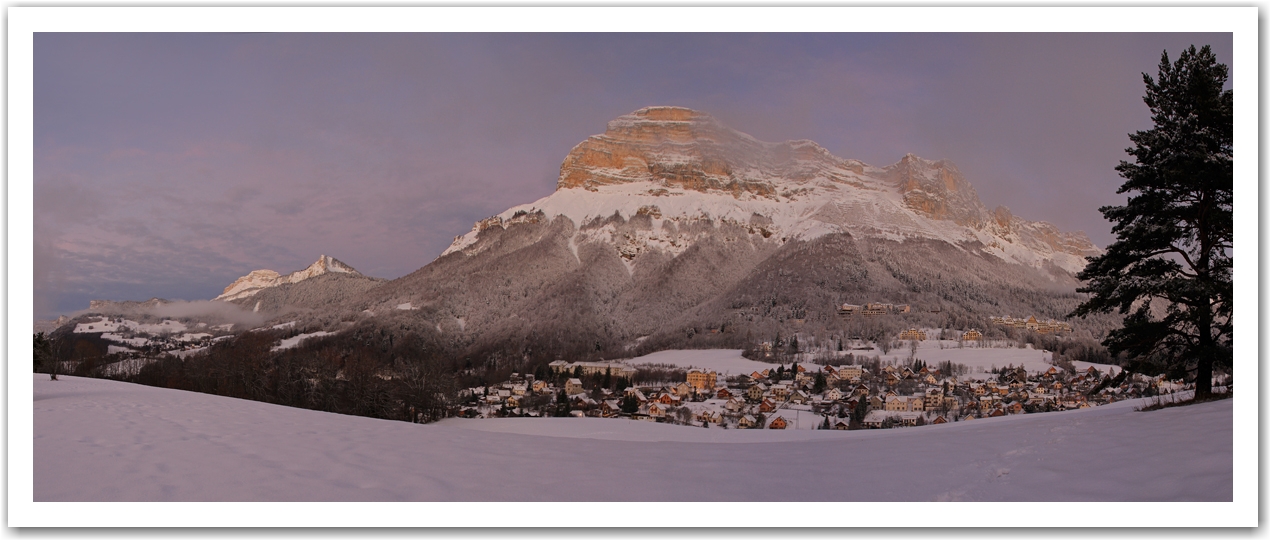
[808,396]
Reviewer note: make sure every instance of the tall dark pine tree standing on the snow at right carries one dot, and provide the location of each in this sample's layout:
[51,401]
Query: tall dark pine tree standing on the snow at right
[1169,271]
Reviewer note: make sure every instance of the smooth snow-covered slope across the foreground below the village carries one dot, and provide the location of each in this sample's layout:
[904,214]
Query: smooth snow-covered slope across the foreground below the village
[98,440]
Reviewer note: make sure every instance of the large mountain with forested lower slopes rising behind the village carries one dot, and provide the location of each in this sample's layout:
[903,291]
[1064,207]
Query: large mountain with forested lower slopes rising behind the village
[671,231]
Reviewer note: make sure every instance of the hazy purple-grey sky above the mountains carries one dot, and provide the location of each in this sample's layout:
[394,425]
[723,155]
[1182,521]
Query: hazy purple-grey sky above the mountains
[171,165]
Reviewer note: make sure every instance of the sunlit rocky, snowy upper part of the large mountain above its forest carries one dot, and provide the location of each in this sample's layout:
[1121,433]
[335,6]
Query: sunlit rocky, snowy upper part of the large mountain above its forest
[681,167]
